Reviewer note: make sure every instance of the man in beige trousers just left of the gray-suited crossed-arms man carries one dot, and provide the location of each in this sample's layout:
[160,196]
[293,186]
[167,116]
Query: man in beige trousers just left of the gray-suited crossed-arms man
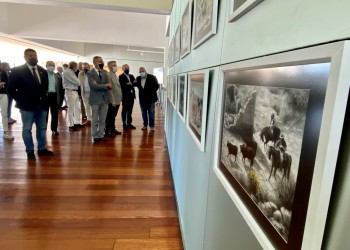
[85,91]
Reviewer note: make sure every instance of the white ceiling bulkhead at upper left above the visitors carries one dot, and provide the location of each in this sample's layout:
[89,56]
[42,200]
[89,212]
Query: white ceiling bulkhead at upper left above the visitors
[130,24]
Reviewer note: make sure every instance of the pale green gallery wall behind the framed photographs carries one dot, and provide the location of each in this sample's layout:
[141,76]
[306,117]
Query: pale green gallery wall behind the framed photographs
[209,219]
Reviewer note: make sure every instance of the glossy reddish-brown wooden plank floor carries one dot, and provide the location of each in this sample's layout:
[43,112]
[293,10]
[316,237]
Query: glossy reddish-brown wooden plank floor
[115,195]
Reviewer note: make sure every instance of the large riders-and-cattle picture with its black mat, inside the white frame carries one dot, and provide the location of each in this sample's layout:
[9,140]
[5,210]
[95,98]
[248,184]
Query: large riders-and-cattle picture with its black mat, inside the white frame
[268,142]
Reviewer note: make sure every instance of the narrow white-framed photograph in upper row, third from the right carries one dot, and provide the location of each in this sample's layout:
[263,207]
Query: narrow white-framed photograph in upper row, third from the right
[186,24]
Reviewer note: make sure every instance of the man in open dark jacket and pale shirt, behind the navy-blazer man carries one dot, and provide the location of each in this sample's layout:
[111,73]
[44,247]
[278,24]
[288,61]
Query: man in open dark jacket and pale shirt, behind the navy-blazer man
[53,96]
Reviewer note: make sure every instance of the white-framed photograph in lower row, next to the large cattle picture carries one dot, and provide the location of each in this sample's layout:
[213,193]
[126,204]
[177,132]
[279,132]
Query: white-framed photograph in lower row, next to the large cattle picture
[198,84]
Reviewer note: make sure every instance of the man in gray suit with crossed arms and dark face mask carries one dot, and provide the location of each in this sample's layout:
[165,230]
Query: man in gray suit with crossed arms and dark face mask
[99,86]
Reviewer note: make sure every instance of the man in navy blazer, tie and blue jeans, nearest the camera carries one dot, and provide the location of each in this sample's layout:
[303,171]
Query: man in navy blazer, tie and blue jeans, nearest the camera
[28,85]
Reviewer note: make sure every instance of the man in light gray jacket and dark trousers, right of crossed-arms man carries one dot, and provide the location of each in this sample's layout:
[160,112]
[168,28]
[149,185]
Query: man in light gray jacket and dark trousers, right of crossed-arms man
[115,97]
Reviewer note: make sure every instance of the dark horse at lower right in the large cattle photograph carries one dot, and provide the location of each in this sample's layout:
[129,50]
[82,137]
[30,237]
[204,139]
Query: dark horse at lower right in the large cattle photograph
[278,163]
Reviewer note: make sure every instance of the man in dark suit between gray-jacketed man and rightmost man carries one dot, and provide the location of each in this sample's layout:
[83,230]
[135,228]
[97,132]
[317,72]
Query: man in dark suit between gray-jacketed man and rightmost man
[126,82]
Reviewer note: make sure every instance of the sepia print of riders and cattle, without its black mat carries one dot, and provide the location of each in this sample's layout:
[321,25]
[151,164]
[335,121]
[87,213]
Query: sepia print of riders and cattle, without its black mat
[262,134]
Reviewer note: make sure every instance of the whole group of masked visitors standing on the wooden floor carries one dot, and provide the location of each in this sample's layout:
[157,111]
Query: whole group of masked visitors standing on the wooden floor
[38,91]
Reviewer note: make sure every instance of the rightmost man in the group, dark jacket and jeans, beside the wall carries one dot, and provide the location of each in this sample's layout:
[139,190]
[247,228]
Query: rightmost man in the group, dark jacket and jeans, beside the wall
[148,86]
